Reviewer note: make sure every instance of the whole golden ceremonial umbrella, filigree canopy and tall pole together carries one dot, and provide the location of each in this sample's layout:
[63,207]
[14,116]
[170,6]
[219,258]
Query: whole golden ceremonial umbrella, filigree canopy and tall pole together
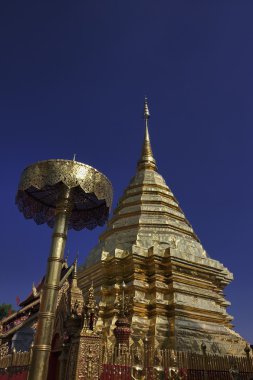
[64,194]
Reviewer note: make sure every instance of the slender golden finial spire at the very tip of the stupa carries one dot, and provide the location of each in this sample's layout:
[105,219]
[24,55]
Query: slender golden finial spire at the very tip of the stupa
[147,160]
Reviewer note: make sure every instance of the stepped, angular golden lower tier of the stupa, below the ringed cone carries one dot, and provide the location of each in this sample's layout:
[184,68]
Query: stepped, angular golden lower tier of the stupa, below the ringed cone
[174,298]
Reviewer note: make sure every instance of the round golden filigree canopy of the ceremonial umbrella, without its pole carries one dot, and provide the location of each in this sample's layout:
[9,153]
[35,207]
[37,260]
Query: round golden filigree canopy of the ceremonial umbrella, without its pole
[42,183]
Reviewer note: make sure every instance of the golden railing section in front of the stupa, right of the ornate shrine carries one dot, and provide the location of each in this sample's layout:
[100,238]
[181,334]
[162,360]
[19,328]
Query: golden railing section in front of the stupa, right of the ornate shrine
[149,362]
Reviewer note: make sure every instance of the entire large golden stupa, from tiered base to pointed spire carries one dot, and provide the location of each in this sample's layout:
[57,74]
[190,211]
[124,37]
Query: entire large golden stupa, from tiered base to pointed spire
[174,289]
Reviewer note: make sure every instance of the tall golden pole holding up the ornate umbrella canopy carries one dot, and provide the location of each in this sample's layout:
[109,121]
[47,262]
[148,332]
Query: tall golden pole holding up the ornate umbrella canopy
[43,338]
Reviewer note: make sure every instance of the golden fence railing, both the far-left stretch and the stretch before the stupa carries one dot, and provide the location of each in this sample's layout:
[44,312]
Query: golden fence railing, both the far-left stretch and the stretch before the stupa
[142,362]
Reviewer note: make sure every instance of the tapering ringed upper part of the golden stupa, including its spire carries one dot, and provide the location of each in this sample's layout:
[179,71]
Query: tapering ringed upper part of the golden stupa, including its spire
[148,212]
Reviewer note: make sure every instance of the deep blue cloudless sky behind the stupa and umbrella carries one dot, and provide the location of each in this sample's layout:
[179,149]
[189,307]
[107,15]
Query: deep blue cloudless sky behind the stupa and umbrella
[73,75]
